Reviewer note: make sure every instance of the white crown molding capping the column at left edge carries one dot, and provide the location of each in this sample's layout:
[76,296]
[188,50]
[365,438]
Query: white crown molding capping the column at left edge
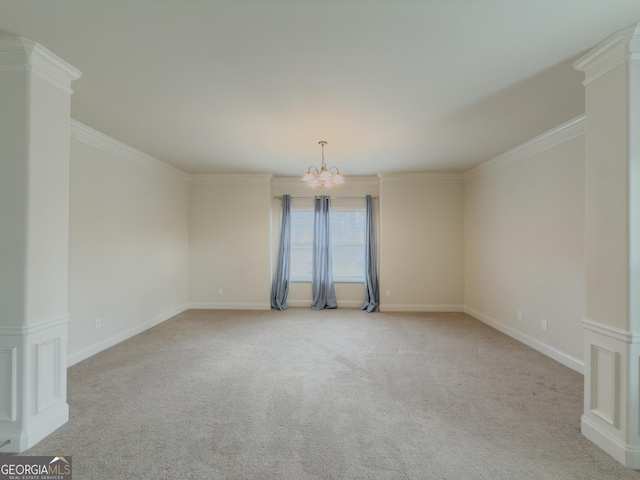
[18,53]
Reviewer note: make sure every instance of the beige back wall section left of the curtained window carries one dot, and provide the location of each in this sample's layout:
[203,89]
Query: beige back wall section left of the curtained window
[230,242]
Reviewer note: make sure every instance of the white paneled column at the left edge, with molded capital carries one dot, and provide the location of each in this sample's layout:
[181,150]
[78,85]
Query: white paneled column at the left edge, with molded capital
[35,98]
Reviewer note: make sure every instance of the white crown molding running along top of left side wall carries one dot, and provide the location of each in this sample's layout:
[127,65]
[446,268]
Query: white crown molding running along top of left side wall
[105,143]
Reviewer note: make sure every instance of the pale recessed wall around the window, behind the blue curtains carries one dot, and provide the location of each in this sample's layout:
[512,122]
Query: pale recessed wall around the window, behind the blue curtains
[348,295]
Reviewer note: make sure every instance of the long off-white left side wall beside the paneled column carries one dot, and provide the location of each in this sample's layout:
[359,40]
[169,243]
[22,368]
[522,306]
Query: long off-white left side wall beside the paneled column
[128,247]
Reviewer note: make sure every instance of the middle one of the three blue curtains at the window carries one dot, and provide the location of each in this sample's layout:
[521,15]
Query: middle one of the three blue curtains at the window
[322,273]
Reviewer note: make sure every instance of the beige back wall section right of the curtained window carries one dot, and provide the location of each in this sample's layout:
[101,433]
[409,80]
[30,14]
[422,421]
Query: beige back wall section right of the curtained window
[421,244]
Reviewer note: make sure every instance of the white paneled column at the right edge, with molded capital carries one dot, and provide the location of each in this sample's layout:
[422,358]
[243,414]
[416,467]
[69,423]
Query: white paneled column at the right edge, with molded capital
[612,246]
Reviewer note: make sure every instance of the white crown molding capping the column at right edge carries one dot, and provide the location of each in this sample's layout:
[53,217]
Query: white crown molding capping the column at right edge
[608,54]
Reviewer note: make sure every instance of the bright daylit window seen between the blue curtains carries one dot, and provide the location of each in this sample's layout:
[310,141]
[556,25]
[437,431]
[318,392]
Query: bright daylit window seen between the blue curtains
[347,243]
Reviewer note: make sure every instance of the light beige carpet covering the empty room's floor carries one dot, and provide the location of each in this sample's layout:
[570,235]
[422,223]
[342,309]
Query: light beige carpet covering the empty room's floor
[337,394]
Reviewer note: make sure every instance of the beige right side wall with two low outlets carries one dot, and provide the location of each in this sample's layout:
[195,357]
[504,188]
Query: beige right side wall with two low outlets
[524,248]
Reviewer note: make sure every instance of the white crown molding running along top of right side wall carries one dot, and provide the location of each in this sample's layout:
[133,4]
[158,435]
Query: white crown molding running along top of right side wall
[568,130]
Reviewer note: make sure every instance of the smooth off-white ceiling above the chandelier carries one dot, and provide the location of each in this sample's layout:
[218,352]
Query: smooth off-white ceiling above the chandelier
[252,86]
